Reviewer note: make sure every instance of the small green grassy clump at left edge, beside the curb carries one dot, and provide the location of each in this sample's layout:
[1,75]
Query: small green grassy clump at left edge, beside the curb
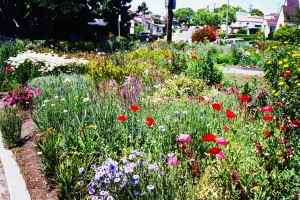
[10,126]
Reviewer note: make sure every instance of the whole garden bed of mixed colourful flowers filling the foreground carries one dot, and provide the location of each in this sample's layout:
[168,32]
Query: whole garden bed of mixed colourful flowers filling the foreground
[158,121]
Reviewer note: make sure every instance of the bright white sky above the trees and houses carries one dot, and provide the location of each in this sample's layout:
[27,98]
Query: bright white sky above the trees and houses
[158,6]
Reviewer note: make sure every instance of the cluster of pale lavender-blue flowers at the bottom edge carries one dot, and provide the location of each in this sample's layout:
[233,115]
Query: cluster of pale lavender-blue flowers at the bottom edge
[113,176]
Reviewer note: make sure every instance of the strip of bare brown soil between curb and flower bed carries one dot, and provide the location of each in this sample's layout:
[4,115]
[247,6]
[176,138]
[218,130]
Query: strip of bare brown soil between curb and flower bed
[29,162]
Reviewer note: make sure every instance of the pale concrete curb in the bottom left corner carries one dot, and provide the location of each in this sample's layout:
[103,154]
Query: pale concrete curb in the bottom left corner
[16,185]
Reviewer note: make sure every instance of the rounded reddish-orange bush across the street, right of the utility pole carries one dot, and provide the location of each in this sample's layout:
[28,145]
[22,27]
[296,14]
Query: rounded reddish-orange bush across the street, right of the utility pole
[207,32]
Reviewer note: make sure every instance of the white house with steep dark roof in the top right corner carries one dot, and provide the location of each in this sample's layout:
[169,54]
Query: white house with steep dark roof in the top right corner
[287,13]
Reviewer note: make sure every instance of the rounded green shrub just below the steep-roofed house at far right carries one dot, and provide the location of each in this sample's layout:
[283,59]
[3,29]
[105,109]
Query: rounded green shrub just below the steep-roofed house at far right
[287,33]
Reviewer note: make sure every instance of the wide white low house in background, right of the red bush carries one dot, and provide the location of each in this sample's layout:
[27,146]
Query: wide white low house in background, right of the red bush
[245,21]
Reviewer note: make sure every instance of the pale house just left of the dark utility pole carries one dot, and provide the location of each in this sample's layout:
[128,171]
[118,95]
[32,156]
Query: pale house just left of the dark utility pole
[147,22]
